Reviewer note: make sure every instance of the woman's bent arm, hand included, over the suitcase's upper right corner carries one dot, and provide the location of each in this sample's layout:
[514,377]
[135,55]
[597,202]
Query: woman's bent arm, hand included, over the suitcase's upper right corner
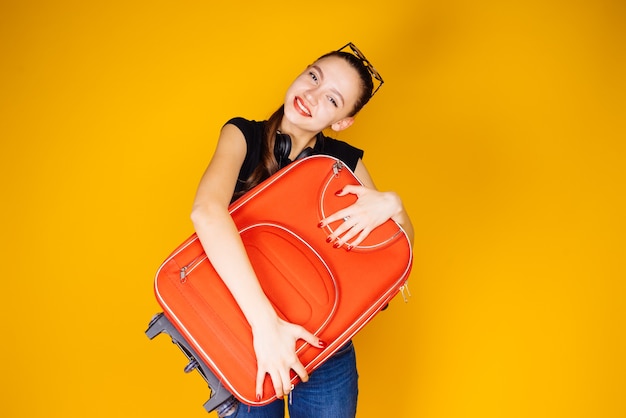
[371,209]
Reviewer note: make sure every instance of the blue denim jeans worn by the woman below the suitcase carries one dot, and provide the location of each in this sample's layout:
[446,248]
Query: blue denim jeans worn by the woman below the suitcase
[331,392]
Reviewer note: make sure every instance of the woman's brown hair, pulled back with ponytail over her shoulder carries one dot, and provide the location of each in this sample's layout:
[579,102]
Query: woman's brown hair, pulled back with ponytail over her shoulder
[268,164]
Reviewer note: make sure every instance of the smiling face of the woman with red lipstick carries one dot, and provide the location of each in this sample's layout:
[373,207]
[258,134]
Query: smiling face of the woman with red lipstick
[324,95]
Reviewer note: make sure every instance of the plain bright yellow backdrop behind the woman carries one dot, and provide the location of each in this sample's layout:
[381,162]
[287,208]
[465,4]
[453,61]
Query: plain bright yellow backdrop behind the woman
[501,124]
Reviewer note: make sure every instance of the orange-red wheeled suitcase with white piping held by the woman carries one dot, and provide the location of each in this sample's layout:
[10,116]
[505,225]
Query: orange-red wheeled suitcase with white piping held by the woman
[331,292]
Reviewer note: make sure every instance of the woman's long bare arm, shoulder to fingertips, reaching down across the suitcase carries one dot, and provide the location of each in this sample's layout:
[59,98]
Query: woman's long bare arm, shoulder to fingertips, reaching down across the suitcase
[274,339]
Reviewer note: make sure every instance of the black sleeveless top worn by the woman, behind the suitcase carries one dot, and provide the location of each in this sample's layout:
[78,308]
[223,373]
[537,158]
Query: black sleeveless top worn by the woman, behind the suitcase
[253,133]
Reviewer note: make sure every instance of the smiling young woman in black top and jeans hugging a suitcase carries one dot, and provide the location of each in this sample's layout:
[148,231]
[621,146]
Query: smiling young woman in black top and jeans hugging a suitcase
[327,94]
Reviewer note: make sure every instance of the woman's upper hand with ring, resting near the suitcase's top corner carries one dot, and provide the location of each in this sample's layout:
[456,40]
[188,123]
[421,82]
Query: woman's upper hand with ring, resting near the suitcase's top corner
[371,209]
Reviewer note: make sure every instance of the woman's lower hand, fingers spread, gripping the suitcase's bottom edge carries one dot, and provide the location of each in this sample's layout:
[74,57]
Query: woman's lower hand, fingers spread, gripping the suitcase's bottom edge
[275,349]
